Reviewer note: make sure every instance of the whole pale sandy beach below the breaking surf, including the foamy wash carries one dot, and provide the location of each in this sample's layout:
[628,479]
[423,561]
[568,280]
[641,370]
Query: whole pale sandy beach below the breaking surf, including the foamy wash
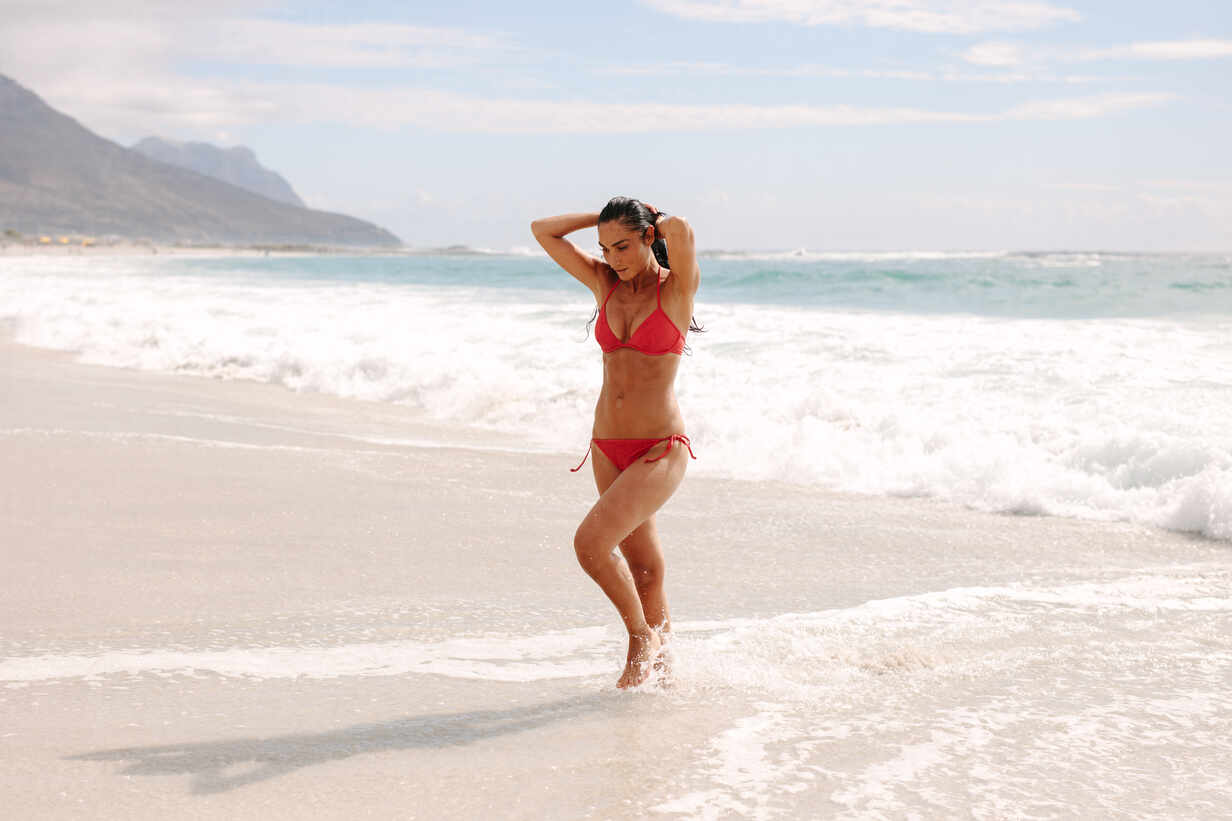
[227,600]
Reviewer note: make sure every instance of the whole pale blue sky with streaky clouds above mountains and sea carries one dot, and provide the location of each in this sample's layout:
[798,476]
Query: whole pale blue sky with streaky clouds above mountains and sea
[827,125]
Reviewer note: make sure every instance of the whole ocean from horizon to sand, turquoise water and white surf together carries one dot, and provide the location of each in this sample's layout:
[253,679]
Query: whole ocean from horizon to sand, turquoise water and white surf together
[1086,385]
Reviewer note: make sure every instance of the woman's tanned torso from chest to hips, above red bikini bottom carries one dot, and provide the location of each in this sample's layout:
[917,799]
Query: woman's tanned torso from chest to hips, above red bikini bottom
[639,396]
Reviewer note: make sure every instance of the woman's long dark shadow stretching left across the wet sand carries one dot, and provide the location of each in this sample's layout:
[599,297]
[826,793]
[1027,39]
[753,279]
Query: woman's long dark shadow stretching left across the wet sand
[209,762]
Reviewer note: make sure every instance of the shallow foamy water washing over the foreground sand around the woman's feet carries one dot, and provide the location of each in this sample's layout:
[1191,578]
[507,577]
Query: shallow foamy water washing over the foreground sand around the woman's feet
[1081,700]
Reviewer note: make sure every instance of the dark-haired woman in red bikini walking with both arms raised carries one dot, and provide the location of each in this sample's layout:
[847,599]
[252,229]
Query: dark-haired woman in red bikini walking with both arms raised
[645,296]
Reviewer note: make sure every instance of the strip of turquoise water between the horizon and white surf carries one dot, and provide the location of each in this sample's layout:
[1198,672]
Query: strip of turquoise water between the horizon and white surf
[1001,285]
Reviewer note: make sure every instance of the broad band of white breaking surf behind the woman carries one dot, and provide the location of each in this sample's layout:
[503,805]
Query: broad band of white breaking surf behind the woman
[1100,419]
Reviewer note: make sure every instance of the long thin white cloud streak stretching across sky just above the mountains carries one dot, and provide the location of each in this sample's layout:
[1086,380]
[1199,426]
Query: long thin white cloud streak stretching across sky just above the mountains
[213,105]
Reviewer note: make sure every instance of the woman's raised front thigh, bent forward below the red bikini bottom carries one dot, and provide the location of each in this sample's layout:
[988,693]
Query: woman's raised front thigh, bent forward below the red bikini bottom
[633,496]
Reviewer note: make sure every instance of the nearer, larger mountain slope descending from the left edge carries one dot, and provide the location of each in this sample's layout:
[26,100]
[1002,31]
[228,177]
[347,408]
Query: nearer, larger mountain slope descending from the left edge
[57,177]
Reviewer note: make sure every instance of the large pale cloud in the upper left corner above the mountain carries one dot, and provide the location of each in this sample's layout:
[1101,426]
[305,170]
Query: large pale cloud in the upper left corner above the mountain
[113,63]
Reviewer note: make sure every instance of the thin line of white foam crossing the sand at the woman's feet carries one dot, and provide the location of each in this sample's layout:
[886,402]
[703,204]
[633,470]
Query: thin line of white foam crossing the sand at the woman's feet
[789,656]
